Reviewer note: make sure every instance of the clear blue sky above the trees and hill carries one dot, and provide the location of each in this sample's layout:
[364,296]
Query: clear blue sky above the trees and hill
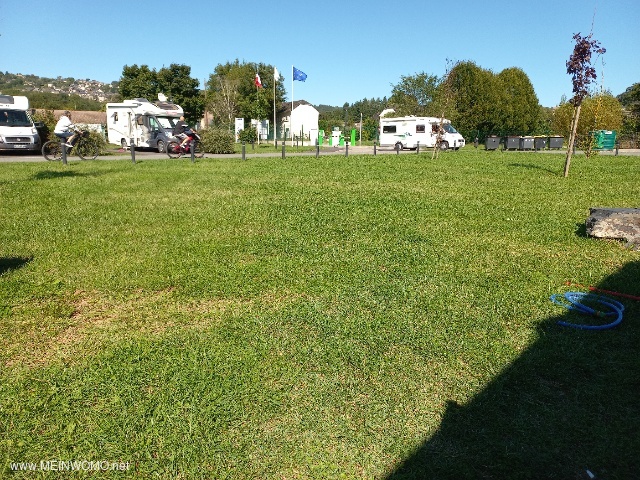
[349,50]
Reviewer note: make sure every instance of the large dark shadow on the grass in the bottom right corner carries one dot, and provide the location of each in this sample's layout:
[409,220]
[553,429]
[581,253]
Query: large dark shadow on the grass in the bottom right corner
[567,405]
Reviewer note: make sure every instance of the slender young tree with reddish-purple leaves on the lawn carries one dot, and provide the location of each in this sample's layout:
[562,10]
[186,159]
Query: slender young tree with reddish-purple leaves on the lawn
[582,74]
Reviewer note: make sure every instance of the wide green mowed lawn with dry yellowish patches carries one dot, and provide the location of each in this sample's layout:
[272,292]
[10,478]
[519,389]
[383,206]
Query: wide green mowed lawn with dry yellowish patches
[363,317]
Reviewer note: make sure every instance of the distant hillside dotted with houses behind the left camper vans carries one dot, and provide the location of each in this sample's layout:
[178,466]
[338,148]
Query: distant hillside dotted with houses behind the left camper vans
[38,88]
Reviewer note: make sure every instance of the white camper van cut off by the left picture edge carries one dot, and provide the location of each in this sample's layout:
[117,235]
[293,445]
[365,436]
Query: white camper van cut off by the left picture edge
[17,129]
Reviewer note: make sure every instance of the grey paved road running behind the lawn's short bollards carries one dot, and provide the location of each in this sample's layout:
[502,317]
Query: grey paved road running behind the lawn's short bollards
[8,157]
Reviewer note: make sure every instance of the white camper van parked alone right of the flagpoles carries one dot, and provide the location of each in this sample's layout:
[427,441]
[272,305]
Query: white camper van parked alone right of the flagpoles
[409,132]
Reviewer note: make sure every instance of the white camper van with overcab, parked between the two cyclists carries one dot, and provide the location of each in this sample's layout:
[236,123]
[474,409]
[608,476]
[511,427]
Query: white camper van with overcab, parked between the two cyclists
[149,124]
